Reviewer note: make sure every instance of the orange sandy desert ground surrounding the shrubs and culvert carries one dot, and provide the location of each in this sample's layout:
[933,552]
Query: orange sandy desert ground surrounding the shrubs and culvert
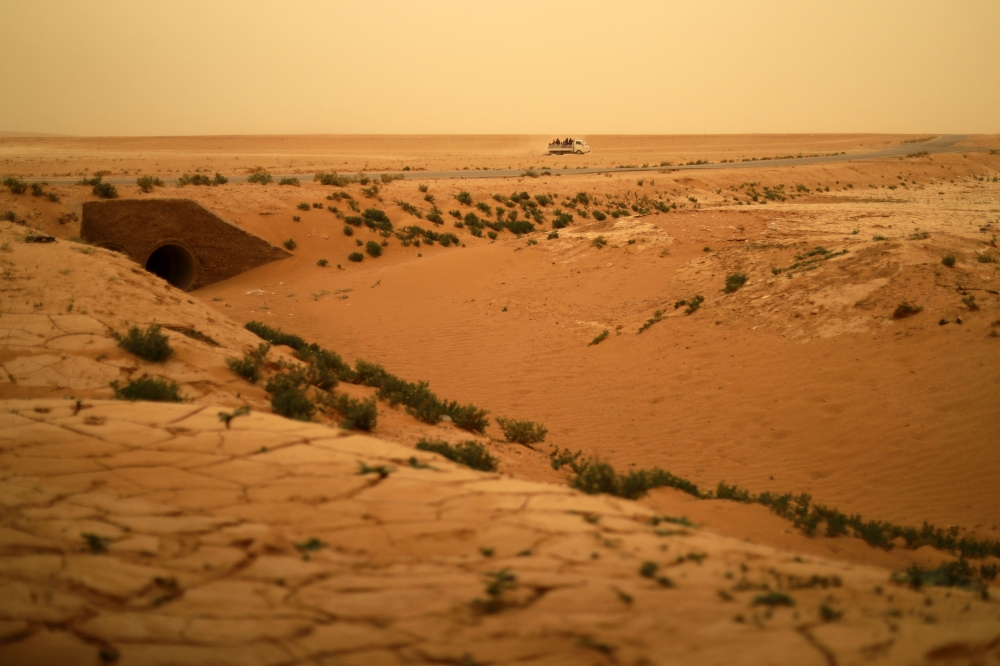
[803,380]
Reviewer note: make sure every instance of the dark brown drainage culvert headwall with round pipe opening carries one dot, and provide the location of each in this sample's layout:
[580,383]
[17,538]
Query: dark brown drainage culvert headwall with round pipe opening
[177,239]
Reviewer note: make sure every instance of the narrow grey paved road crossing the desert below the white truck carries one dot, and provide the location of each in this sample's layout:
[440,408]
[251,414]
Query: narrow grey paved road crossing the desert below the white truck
[943,144]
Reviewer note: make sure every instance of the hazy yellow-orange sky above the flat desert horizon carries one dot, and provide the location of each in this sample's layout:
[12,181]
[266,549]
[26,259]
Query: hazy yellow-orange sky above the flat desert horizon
[308,67]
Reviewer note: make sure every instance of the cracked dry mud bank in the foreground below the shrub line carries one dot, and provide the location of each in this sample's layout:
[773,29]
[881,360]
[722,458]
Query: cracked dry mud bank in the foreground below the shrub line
[263,544]
